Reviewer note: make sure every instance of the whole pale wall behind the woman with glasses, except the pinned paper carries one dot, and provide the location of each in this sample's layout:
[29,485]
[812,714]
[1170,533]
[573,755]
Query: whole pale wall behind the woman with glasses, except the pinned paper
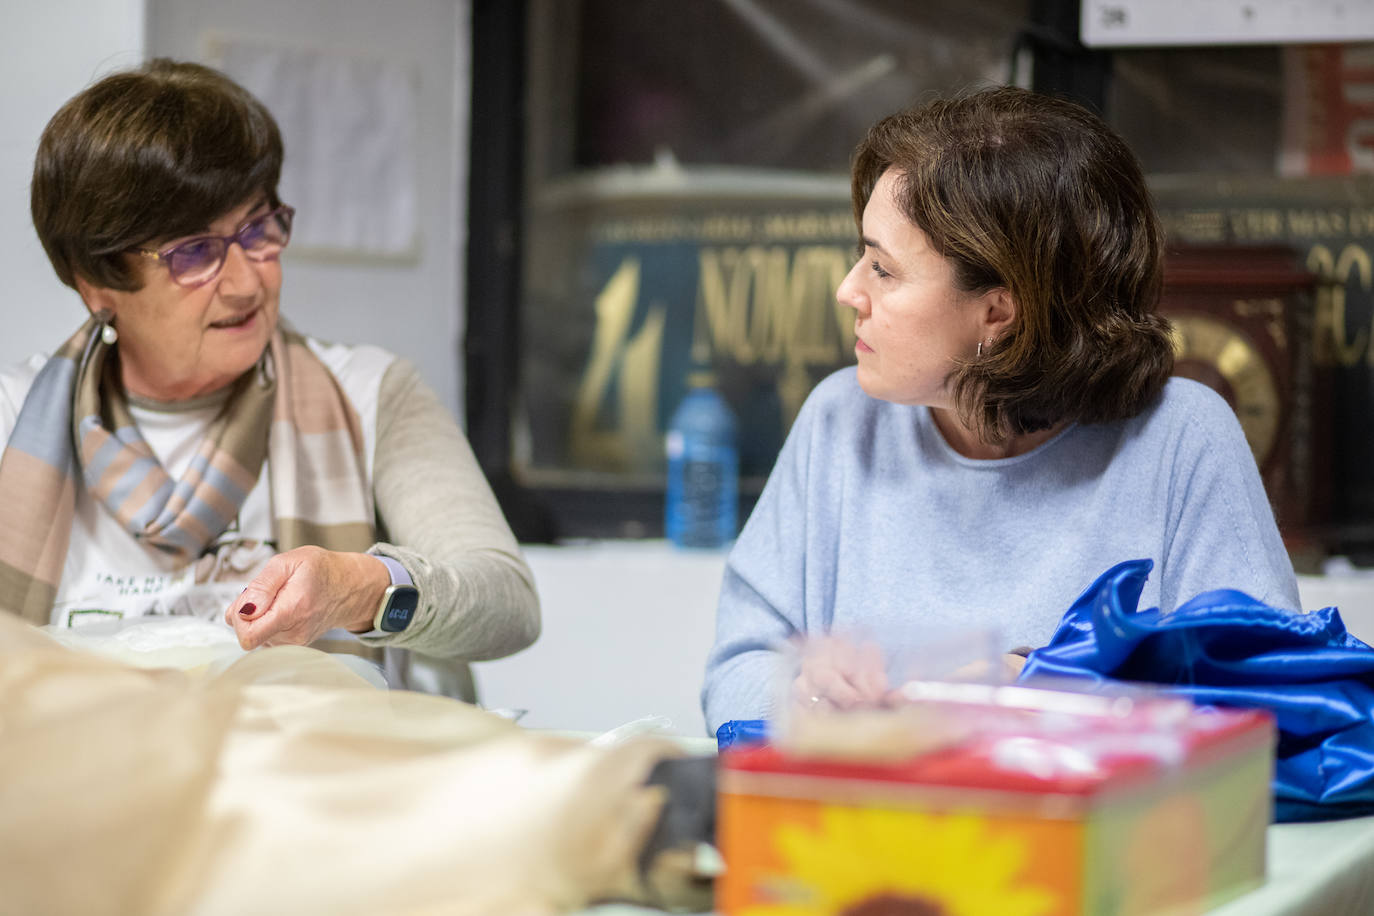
[57,47]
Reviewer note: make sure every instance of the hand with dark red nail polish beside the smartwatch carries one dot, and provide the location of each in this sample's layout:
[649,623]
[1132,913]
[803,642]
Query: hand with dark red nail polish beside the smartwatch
[303,594]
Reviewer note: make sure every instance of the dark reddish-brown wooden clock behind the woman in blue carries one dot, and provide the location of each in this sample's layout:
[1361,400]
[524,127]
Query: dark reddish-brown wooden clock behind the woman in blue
[1243,325]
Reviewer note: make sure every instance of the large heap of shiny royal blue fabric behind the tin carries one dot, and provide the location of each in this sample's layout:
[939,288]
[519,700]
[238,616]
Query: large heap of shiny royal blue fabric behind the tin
[1226,649]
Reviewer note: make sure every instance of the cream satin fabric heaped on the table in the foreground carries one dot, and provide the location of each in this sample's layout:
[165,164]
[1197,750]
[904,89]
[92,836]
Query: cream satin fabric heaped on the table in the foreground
[286,785]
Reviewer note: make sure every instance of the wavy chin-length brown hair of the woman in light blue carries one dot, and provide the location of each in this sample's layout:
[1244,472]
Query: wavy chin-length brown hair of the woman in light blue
[1041,197]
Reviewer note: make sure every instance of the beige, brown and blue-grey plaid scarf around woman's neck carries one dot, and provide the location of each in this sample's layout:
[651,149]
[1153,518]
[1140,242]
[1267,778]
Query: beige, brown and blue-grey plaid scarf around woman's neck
[76,420]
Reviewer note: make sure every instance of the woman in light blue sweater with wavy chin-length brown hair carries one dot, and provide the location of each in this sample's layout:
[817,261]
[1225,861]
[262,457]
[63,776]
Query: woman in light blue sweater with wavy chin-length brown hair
[1011,431]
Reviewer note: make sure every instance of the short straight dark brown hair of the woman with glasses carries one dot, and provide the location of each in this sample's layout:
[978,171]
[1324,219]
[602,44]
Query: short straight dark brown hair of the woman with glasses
[152,153]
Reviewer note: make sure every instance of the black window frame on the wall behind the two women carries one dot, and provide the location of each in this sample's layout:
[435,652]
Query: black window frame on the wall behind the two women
[495,193]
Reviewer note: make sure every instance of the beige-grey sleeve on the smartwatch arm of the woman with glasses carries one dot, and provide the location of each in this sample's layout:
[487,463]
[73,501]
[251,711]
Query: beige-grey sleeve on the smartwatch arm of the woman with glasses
[443,524]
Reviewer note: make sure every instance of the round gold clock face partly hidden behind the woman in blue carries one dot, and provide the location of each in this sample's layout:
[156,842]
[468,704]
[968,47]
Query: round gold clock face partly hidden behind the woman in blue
[1226,359]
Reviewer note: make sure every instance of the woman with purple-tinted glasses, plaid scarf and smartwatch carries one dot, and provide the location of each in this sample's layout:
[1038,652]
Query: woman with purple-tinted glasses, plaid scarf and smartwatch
[188,454]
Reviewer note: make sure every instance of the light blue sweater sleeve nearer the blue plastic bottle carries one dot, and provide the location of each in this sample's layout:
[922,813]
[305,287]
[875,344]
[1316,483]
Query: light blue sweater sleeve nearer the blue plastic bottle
[763,593]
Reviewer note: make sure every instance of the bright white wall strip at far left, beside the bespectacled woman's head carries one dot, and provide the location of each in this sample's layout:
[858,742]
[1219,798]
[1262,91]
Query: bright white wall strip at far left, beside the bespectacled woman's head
[52,51]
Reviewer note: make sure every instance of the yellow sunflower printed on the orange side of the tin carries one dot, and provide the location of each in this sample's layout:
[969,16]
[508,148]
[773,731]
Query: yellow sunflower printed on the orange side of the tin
[894,863]
